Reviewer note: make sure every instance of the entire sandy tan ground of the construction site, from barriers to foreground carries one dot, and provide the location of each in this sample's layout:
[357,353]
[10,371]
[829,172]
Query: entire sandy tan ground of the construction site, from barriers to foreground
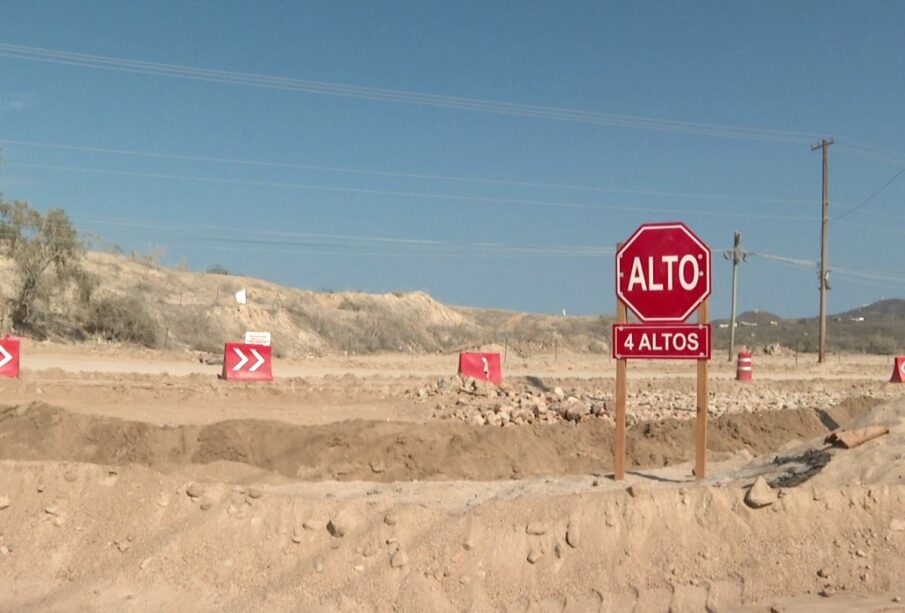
[136,480]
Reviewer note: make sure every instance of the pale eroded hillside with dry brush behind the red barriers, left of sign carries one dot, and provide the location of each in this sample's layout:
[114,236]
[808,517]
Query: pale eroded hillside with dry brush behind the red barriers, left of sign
[174,309]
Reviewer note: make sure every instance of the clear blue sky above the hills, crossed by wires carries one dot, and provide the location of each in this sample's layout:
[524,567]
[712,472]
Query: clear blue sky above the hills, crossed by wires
[301,162]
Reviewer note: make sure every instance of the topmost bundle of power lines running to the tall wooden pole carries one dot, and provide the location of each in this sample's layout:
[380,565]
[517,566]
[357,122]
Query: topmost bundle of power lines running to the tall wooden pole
[399,96]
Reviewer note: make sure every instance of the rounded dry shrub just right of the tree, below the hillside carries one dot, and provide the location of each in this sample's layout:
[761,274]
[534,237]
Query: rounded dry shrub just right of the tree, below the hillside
[121,319]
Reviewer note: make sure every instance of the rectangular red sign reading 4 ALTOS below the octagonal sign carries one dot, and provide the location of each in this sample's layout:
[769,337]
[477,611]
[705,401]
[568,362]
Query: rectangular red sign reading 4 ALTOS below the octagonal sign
[661,342]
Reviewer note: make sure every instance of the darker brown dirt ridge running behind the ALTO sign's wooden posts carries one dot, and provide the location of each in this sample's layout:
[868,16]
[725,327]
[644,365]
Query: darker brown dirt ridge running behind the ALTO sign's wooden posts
[394,451]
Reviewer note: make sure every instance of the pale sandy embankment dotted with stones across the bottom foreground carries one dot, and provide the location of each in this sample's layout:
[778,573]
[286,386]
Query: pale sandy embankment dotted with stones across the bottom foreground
[85,537]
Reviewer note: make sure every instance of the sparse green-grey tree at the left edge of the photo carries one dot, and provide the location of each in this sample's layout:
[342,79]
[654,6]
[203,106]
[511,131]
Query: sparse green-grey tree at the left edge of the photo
[45,252]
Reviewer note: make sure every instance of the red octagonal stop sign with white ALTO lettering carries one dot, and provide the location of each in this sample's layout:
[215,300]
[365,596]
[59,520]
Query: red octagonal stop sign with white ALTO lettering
[663,272]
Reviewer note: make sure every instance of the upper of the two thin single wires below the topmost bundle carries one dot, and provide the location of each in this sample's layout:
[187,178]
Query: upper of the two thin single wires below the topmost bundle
[398,174]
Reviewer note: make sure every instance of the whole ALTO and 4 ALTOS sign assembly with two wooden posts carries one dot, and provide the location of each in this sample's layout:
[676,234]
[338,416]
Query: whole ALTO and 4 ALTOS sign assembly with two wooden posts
[663,276]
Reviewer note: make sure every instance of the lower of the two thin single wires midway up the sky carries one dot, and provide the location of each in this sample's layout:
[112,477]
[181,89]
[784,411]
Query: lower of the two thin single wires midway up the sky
[409,194]
